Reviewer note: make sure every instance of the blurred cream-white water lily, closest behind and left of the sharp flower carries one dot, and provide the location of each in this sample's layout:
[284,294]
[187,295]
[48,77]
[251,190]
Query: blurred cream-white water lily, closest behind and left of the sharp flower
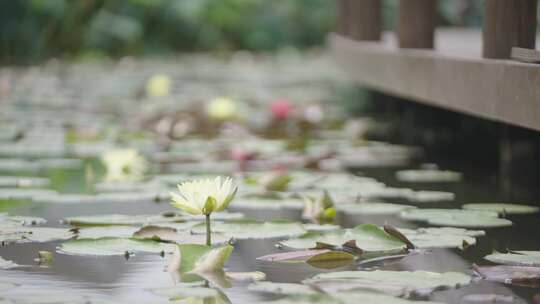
[124,165]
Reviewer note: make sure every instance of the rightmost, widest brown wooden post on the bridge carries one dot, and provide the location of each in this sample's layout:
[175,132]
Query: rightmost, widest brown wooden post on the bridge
[508,24]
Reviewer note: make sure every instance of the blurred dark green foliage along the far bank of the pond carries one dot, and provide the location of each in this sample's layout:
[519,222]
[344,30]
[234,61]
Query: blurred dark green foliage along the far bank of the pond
[32,30]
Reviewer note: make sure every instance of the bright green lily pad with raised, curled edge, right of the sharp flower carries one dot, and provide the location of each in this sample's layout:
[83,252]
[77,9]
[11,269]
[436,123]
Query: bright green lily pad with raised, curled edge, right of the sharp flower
[369,238]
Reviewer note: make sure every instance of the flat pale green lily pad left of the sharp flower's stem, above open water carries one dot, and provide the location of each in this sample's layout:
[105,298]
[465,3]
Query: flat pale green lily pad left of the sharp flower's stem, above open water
[111,246]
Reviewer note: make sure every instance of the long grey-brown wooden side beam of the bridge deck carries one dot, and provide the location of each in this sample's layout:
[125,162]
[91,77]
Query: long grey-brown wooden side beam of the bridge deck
[500,90]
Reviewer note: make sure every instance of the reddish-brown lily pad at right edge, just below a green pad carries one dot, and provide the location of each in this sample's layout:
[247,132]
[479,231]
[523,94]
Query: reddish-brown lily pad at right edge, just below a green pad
[515,275]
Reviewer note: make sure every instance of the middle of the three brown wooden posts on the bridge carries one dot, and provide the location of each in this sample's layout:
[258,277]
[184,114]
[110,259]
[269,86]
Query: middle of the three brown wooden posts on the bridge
[416,24]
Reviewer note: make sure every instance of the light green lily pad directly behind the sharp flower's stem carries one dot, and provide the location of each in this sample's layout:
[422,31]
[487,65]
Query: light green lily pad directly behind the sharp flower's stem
[248,229]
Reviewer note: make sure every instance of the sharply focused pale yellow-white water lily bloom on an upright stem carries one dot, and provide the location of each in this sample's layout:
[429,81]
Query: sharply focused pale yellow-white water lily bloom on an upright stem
[204,196]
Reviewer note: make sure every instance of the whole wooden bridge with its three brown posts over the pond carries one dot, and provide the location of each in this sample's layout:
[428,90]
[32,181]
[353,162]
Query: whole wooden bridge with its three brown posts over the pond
[464,70]
